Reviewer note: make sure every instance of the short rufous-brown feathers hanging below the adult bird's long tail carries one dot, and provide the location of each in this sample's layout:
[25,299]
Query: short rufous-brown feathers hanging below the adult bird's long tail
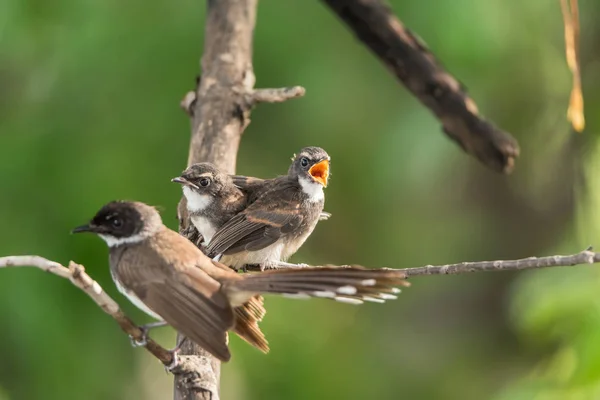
[247,317]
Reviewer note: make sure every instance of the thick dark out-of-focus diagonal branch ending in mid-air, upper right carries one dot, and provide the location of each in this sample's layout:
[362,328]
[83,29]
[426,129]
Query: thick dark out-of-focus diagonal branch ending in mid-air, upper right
[408,57]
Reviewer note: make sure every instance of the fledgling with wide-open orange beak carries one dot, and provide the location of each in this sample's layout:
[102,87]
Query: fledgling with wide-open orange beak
[279,221]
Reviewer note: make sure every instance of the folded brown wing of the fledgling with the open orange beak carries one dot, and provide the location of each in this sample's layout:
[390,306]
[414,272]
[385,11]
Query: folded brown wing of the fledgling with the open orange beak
[276,213]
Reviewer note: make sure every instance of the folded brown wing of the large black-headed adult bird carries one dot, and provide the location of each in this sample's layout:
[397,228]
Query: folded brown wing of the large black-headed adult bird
[187,298]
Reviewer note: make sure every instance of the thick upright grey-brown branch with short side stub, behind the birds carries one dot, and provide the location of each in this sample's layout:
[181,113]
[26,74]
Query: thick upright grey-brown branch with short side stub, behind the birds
[220,111]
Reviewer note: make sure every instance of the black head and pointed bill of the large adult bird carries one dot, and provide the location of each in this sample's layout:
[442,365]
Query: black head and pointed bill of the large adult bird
[124,219]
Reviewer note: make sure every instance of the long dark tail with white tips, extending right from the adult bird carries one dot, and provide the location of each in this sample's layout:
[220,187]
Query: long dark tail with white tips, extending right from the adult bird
[353,285]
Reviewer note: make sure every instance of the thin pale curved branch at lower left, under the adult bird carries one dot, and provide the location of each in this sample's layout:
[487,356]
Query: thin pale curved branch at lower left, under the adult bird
[77,275]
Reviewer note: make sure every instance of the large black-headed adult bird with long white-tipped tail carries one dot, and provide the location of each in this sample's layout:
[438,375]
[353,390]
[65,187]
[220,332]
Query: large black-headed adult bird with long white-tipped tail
[170,279]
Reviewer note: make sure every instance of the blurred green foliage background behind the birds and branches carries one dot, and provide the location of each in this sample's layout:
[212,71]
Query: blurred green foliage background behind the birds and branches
[89,95]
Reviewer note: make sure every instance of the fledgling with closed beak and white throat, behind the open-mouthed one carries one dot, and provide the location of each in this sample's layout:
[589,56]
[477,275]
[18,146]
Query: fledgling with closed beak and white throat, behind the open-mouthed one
[213,197]
